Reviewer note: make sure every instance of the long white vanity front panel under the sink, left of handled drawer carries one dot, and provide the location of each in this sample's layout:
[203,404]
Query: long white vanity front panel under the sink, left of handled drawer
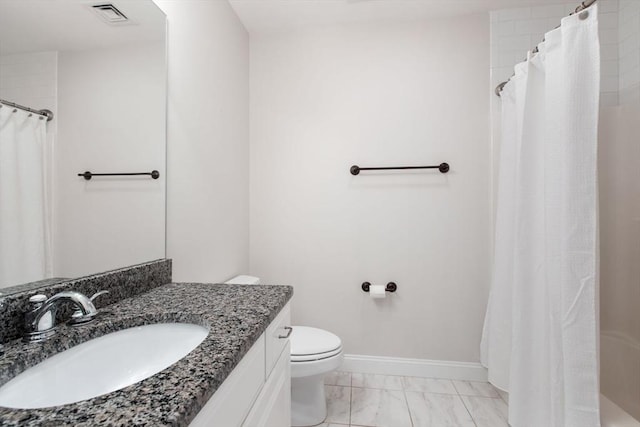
[232,401]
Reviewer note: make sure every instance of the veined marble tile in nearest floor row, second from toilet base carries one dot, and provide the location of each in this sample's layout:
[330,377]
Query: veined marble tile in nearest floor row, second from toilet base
[379,408]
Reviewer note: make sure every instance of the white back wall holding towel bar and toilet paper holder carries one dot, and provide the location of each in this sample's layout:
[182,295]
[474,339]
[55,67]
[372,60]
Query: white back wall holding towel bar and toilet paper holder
[323,100]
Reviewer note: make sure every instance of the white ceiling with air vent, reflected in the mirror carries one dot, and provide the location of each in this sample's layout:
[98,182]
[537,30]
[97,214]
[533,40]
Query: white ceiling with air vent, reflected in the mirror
[48,25]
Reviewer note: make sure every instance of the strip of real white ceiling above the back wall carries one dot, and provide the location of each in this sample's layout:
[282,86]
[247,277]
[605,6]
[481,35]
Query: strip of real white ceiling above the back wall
[281,15]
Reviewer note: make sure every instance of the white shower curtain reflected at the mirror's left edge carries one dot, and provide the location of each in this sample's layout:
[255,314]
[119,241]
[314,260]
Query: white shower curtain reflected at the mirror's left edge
[25,253]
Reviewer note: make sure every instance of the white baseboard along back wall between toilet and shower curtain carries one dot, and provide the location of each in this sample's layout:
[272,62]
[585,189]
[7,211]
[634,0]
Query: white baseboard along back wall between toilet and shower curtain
[467,371]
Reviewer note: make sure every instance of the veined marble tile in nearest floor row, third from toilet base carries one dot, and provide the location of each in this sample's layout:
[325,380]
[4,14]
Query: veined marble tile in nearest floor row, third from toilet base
[437,410]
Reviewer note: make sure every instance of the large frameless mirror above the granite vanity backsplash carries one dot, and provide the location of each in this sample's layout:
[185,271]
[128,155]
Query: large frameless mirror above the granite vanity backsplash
[102,72]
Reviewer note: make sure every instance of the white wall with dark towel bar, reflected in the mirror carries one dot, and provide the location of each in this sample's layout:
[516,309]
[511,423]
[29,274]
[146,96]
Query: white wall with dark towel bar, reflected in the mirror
[108,223]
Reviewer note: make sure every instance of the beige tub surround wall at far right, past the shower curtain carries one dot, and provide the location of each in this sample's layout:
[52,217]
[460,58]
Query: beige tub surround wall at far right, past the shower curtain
[619,182]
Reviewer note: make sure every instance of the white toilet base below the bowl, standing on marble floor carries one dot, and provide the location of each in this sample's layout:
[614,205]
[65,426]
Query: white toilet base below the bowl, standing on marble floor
[308,401]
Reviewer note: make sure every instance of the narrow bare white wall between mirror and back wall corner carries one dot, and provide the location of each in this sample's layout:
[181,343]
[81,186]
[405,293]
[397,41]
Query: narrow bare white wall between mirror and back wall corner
[208,141]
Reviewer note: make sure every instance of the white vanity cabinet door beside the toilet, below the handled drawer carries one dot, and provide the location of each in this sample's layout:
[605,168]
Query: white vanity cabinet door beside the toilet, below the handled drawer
[273,406]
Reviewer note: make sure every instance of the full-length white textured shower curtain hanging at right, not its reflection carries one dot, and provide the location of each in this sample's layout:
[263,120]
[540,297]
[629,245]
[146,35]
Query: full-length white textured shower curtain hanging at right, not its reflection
[539,339]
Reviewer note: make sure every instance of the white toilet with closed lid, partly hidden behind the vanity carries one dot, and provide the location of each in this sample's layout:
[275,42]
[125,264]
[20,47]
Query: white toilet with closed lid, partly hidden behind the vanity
[314,353]
